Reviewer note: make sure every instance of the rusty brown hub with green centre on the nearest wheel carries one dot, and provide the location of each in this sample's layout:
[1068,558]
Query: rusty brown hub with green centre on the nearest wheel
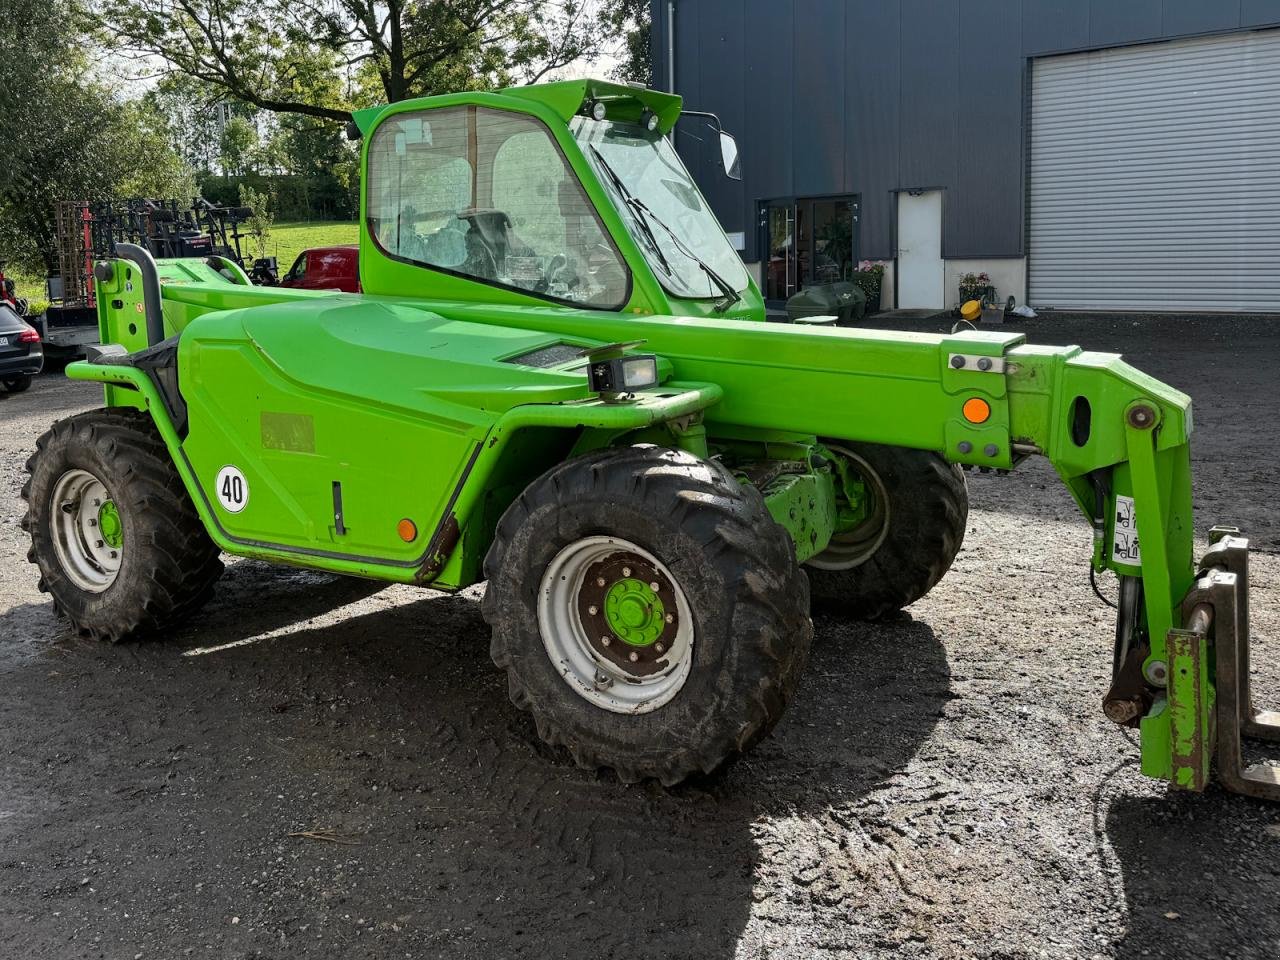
[624,616]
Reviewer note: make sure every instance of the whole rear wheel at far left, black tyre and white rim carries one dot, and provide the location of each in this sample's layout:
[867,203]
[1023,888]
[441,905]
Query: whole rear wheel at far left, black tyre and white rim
[113,532]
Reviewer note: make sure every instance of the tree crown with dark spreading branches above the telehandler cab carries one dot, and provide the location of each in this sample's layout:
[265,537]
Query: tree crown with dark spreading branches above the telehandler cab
[262,52]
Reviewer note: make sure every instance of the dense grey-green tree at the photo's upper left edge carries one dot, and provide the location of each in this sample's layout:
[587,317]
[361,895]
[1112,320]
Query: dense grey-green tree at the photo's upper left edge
[65,135]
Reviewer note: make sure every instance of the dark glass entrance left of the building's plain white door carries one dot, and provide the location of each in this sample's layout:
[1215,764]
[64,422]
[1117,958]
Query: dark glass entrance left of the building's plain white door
[804,243]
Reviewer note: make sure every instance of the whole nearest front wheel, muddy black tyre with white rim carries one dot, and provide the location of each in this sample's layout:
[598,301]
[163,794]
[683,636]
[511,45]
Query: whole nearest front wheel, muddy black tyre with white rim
[648,611]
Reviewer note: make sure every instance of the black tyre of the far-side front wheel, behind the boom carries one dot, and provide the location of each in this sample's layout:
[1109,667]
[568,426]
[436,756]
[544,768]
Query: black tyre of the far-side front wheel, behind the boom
[921,508]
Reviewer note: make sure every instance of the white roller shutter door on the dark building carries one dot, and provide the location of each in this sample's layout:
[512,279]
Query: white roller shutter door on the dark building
[1155,177]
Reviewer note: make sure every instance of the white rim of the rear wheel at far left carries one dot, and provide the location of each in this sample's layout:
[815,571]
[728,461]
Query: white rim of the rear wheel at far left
[89,559]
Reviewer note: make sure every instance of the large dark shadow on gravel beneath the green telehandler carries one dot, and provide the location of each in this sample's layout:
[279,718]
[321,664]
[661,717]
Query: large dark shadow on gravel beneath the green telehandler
[459,834]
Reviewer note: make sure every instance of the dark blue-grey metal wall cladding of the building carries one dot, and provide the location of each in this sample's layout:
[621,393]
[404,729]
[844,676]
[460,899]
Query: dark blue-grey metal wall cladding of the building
[871,97]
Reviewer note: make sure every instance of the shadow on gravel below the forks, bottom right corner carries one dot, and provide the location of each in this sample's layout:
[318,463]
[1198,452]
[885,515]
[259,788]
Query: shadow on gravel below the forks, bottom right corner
[1199,874]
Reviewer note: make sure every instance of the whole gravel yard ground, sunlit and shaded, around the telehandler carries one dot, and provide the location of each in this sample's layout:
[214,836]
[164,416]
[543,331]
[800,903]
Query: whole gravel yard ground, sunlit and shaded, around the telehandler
[944,787]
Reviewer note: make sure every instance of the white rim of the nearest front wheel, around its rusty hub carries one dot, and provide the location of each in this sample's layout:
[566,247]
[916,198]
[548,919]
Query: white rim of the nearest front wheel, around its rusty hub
[593,675]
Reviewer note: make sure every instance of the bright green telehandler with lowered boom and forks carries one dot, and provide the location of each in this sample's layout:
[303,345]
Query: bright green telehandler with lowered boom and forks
[559,381]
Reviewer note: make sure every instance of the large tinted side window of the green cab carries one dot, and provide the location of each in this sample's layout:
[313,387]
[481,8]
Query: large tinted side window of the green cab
[488,195]
